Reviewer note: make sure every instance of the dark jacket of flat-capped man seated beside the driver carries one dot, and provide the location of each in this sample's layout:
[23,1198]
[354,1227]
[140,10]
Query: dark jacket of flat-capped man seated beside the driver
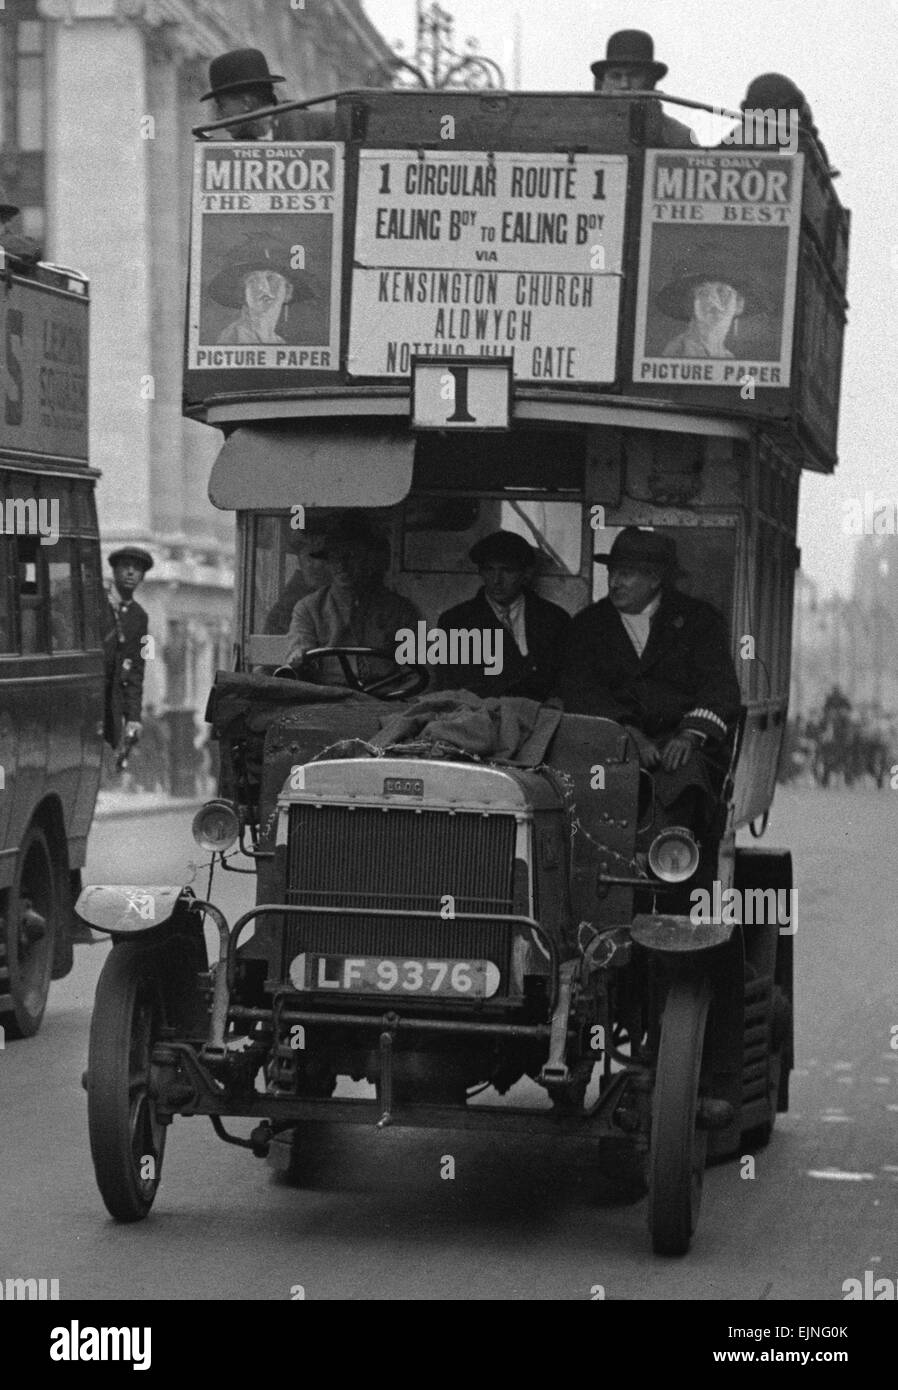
[534,675]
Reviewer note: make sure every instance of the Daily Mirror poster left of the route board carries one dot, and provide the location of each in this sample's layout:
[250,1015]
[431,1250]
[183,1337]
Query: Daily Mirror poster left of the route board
[266,258]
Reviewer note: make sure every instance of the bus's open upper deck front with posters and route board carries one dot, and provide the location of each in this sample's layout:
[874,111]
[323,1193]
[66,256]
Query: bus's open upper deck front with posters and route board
[560,233]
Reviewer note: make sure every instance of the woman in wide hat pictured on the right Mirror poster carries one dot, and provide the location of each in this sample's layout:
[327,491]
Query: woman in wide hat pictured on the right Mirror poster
[712,297]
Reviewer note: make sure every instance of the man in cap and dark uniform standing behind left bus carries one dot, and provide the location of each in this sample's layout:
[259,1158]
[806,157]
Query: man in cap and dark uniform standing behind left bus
[124,629]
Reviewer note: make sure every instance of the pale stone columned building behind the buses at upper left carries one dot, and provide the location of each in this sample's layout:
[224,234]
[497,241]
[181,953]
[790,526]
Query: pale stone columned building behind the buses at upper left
[99,99]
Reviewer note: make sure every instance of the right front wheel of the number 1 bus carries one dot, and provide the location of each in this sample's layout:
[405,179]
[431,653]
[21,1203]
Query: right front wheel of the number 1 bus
[679,1149]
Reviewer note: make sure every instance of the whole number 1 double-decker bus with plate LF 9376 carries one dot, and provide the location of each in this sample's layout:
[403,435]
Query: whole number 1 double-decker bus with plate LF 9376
[468,312]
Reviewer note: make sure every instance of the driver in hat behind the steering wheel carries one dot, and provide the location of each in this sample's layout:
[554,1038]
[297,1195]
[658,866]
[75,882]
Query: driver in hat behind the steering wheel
[355,610]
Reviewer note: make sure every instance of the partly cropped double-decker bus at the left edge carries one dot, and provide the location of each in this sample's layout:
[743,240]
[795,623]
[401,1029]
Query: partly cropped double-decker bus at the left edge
[51,632]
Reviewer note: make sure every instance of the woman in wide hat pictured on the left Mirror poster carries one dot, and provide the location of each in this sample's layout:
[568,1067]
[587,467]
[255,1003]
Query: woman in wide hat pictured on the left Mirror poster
[259,281]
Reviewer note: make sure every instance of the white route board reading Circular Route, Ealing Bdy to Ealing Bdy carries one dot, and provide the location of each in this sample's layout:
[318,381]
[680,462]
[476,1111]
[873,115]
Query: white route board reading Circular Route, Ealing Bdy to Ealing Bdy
[489,255]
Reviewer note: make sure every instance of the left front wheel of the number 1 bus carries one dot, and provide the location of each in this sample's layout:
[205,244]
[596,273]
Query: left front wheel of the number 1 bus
[127,1138]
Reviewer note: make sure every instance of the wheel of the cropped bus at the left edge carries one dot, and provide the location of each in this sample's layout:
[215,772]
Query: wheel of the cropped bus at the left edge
[30,924]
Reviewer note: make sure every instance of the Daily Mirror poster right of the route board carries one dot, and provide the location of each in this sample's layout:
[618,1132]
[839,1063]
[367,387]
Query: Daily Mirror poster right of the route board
[718,268]
